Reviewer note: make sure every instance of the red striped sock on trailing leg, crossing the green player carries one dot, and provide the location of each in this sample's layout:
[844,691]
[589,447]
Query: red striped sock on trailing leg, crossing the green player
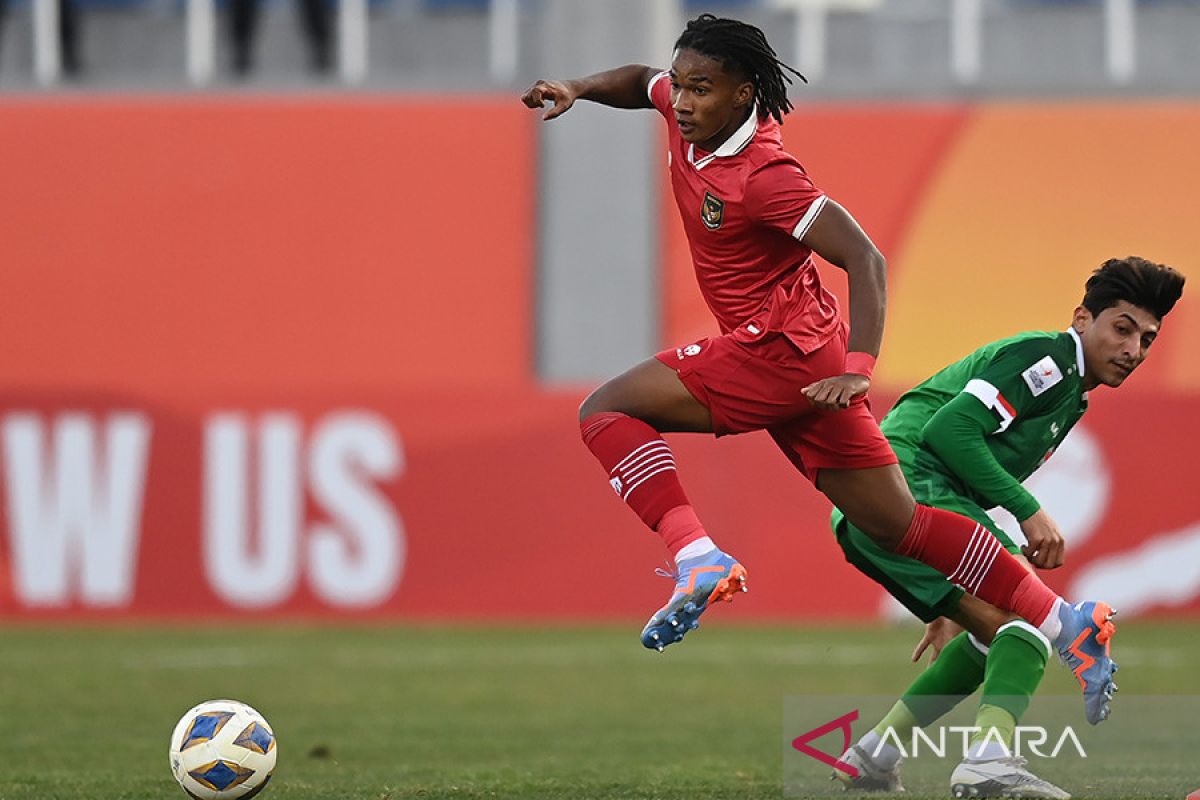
[973,558]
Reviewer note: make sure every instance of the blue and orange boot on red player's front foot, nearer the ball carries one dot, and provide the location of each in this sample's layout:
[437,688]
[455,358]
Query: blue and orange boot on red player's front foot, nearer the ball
[700,582]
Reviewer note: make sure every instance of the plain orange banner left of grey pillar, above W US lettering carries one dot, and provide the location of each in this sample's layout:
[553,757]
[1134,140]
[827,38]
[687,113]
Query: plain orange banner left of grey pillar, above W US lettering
[159,248]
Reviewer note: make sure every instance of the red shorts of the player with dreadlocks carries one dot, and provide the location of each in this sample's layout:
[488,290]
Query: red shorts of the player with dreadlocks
[753,382]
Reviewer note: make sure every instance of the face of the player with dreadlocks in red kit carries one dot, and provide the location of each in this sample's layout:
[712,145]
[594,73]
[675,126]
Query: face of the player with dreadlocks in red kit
[710,104]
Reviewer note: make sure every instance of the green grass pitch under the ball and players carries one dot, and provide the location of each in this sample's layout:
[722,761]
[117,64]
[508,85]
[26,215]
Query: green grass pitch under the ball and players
[389,713]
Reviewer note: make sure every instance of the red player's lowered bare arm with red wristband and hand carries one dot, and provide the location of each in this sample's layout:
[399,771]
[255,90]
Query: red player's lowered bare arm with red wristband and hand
[837,238]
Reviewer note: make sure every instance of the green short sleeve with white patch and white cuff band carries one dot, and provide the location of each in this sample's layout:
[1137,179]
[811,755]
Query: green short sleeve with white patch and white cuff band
[1021,380]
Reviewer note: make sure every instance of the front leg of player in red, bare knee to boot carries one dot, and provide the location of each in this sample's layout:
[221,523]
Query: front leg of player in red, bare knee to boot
[621,423]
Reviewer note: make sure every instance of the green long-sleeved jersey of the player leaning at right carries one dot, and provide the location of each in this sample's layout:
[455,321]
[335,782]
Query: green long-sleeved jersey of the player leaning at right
[1029,393]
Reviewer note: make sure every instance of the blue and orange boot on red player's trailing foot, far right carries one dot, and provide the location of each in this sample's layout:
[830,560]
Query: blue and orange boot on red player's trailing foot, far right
[1088,631]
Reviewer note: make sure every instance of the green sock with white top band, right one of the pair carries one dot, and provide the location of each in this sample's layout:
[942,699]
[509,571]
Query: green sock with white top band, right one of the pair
[1016,665]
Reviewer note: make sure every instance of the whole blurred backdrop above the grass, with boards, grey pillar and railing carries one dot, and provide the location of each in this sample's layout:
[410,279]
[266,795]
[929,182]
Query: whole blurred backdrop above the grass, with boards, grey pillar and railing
[298,302]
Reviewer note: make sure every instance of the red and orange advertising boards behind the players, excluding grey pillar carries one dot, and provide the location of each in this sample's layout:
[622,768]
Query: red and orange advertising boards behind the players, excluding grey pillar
[272,358]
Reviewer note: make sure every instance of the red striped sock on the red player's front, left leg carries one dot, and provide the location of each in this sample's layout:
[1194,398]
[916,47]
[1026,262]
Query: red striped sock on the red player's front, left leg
[641,470]
